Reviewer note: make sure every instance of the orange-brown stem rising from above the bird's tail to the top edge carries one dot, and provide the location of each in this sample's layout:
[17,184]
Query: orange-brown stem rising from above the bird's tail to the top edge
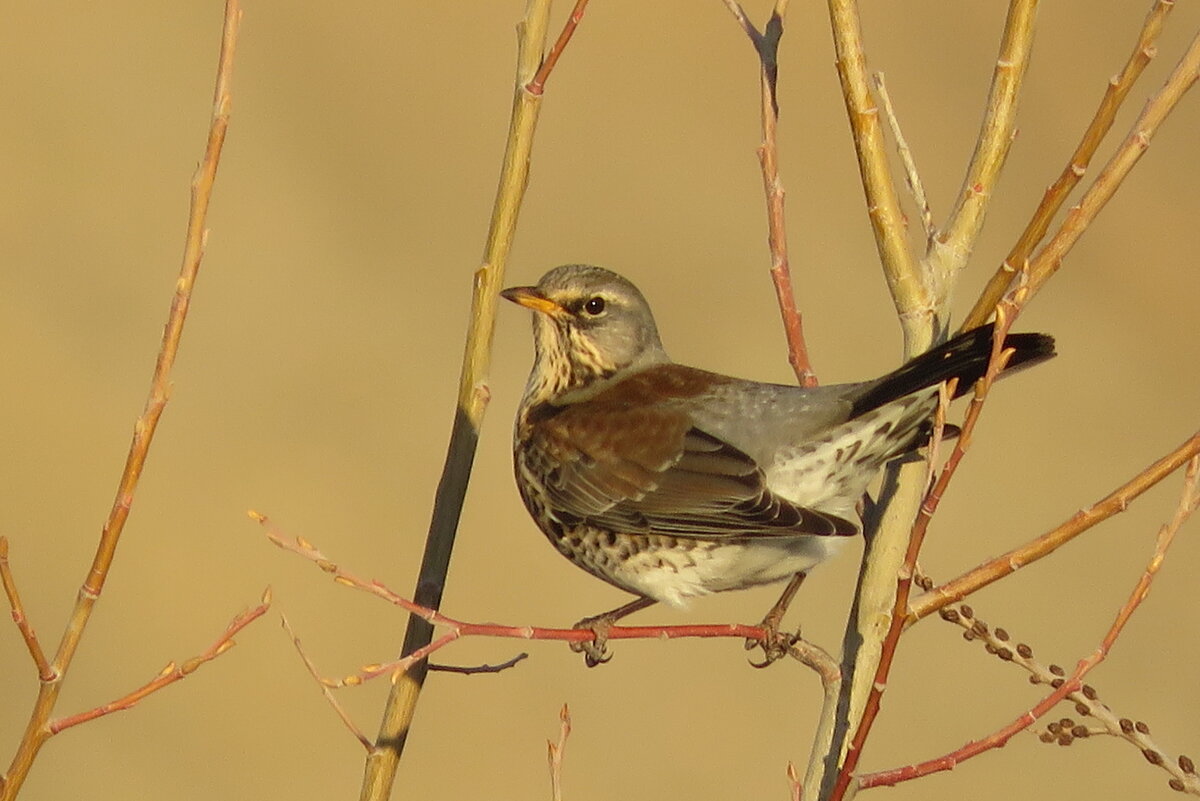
[1115,95]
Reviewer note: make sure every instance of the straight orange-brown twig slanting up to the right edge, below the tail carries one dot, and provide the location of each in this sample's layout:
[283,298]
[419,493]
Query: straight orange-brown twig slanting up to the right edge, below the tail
[1043,546]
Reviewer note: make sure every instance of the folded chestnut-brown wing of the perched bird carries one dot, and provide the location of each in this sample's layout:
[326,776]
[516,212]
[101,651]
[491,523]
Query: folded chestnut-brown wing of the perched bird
[647,469]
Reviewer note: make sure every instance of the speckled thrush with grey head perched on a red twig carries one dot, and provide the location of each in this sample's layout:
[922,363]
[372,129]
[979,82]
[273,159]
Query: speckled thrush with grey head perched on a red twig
[674,483]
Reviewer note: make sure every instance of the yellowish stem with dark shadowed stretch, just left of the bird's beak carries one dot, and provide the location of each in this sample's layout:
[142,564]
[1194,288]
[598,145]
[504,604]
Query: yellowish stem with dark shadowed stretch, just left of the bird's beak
[473,394]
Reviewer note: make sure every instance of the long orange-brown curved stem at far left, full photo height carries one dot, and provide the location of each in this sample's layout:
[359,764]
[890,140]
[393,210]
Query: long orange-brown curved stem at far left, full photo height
[38,730]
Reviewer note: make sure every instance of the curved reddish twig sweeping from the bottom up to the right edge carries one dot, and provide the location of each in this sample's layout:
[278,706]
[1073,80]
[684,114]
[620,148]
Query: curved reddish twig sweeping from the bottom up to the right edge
[1187,505]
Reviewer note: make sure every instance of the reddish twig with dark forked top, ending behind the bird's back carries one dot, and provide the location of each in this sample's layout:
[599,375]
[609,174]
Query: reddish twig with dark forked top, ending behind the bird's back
[766,45]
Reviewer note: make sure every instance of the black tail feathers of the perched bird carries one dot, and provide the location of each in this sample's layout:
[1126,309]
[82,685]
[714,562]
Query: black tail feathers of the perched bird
[965,358]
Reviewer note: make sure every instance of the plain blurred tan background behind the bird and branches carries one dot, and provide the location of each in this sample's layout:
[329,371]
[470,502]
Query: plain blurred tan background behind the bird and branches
[320,366]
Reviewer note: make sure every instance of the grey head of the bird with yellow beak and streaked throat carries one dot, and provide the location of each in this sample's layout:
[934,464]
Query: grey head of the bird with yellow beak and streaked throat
[590,326]
